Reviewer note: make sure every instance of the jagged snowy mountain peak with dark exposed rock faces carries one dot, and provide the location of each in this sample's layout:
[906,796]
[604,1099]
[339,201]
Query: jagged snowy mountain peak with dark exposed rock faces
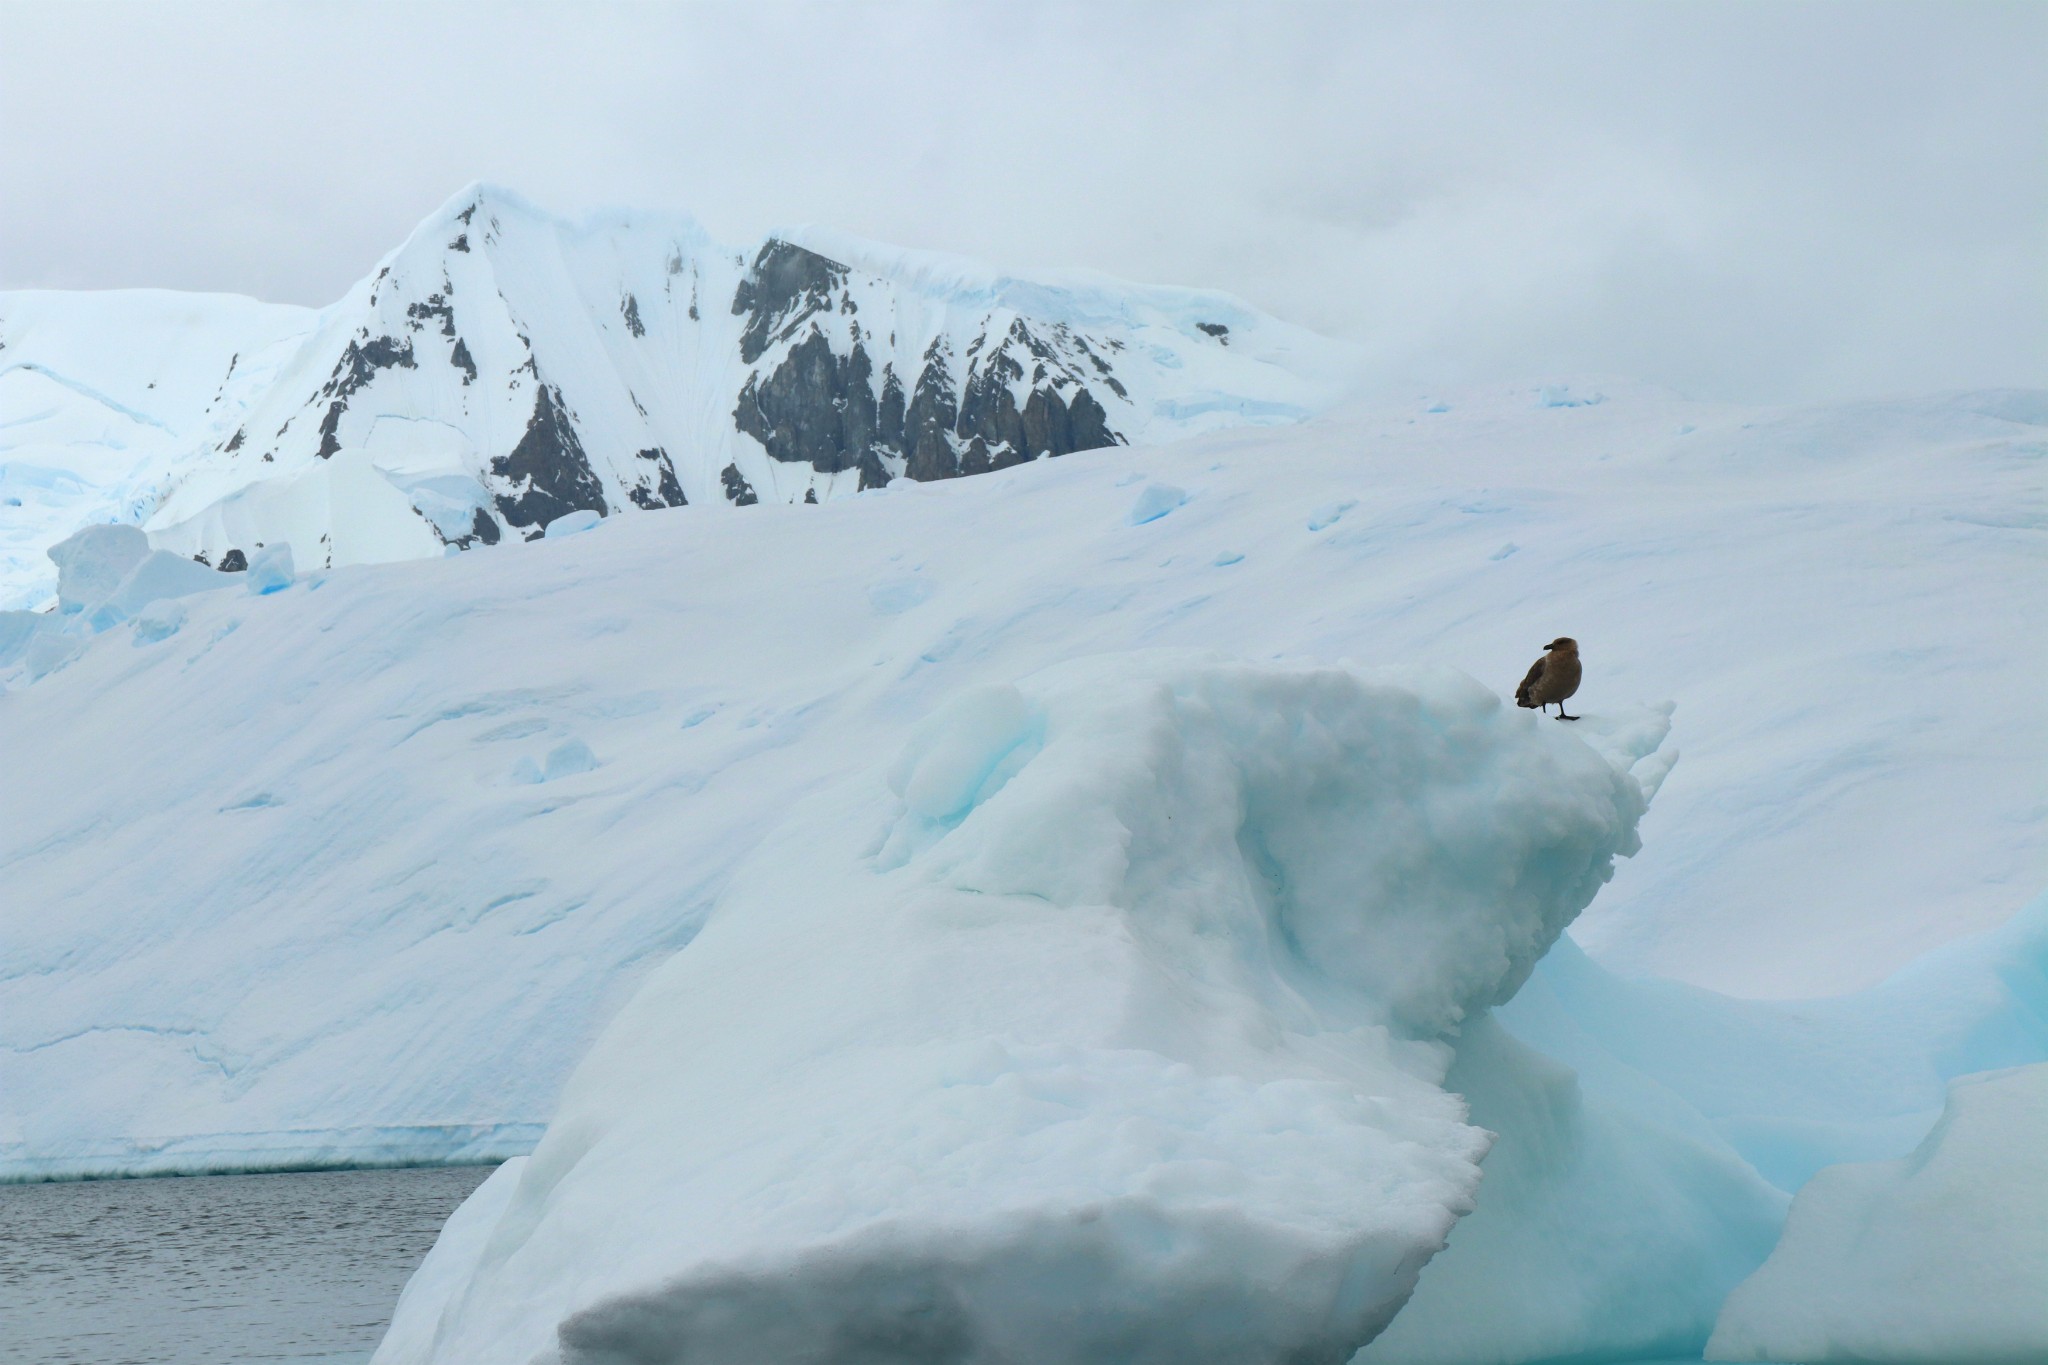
[505,369]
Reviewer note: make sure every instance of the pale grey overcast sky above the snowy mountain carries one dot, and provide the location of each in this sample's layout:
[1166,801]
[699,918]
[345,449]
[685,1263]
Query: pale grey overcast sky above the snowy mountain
[1754,202]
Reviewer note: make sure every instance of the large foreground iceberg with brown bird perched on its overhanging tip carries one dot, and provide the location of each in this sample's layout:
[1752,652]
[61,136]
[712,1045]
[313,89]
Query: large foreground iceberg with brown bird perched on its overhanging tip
[1109,1032]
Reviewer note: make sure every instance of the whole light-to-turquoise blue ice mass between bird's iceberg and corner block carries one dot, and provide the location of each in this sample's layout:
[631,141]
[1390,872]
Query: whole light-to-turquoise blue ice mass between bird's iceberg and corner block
[1650,1137]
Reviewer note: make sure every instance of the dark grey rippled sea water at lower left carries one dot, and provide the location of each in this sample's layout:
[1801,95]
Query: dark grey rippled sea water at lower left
[218,1270]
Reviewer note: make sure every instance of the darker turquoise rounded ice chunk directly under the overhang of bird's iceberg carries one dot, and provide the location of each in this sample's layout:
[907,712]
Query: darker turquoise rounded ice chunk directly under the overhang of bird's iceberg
[1601,1231]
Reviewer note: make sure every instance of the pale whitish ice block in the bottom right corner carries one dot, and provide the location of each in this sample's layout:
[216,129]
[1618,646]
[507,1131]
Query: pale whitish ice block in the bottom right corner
[1930,1260]
